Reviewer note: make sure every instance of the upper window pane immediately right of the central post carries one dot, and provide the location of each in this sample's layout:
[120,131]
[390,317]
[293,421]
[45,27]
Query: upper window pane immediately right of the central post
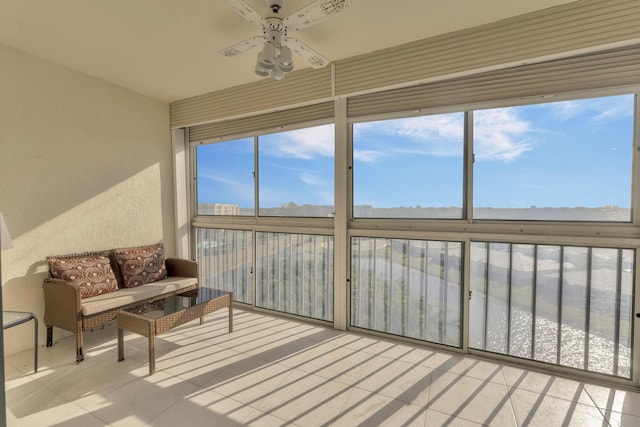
[409,168]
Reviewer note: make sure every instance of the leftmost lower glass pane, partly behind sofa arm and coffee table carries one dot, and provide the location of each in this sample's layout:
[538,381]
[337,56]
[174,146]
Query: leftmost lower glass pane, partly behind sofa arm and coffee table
[224,258]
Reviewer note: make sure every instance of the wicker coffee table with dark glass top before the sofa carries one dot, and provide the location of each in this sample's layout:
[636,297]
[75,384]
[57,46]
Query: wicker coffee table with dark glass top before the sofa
[177,310]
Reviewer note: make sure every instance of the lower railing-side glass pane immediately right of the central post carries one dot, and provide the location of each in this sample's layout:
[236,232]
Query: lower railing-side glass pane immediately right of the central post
[411,288]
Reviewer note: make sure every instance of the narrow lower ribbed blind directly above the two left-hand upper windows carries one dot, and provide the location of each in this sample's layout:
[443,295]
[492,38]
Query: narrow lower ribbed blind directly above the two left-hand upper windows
[261,122]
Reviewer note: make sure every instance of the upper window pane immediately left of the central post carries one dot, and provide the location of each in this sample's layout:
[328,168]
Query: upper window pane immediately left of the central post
[297,173]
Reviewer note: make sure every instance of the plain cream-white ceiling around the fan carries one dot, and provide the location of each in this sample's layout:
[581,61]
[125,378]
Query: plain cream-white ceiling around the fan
[167,49]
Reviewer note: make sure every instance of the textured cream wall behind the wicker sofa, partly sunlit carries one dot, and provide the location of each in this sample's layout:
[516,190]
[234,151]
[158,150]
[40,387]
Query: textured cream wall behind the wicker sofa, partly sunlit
[84,165]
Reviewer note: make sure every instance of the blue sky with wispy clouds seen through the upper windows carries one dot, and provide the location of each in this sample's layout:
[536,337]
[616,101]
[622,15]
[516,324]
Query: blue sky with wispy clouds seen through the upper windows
[571,153]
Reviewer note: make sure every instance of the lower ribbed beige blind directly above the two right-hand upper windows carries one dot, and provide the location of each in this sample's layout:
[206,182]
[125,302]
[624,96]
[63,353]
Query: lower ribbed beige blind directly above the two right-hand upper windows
[609,69]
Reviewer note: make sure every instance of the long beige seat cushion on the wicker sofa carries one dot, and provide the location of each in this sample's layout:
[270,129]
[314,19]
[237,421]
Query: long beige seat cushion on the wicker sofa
[127,296]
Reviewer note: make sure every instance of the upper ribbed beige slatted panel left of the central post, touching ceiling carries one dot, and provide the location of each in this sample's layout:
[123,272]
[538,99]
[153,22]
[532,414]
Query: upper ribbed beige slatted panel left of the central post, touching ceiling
[298,88]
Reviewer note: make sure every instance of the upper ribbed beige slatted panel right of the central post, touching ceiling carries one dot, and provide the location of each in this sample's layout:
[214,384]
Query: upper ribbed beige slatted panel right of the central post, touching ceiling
[571,29]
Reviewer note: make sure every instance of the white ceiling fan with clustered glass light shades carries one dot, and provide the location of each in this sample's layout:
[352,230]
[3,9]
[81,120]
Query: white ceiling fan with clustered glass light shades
[275,58]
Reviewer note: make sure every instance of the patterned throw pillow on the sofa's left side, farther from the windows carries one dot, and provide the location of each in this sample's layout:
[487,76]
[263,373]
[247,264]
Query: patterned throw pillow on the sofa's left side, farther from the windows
[92,275]
